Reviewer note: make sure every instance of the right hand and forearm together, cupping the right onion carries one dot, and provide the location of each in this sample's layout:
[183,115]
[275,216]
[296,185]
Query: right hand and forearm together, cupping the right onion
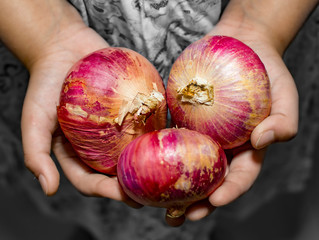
[268,28]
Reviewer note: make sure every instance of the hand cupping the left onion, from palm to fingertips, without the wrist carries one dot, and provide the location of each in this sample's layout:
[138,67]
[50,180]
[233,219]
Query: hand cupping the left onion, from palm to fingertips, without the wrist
[40,130]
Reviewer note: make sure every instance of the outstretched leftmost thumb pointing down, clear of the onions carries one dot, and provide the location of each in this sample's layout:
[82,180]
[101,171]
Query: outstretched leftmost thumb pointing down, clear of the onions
[36,138]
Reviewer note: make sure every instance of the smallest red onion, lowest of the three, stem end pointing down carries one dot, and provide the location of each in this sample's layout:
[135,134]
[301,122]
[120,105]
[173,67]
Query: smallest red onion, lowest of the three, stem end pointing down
[171,168]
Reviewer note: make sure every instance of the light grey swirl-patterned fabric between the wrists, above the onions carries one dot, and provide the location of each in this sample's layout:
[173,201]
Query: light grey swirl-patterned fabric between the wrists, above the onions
[158,29]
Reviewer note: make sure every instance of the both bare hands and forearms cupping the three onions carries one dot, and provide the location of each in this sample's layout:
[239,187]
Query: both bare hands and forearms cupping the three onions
[49,36]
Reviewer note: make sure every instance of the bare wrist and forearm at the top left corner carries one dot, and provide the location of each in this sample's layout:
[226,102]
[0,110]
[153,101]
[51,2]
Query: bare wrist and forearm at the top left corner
[30,28]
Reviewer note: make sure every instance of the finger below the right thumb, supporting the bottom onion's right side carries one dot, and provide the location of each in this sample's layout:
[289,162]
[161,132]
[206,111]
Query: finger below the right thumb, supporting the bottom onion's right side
[243,171]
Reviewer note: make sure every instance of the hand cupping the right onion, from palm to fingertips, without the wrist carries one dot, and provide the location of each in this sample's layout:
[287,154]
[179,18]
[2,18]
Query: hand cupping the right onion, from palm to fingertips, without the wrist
[246,161]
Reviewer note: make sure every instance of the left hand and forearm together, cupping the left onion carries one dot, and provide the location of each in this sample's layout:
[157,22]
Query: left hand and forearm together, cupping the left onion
[49,37]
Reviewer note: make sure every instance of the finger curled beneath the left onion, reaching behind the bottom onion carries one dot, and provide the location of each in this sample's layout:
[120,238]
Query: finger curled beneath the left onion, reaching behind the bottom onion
[86,180]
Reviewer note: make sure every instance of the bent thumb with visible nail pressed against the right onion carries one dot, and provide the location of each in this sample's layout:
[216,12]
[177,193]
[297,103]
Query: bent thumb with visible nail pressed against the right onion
[282,124]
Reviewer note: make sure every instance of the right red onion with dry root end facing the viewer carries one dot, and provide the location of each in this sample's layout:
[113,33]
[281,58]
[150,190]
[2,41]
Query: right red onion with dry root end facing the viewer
[238,84]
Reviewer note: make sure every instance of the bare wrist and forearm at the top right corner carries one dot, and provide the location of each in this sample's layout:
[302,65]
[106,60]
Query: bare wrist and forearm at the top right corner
[275,22]
